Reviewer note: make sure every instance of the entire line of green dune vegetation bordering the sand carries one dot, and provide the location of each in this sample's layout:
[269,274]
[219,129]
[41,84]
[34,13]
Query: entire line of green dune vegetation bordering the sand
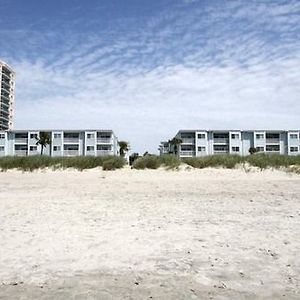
[148,161]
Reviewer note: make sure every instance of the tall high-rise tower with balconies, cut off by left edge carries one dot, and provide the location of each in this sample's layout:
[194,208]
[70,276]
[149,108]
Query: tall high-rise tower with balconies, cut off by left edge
[7,96]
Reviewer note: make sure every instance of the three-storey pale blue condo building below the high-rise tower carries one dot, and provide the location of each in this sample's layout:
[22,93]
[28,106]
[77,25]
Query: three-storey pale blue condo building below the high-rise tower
[92,142]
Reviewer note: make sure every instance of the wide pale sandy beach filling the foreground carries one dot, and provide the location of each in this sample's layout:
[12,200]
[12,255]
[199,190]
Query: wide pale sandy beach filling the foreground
[198,234]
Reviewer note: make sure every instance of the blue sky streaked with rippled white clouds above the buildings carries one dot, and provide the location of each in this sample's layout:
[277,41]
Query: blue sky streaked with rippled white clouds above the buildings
[148,68]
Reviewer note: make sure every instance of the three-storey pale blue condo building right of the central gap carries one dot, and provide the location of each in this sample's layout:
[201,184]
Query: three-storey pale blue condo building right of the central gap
[195,143]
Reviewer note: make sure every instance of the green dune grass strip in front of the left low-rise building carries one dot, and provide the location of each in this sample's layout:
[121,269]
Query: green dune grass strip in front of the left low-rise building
[30,163]
